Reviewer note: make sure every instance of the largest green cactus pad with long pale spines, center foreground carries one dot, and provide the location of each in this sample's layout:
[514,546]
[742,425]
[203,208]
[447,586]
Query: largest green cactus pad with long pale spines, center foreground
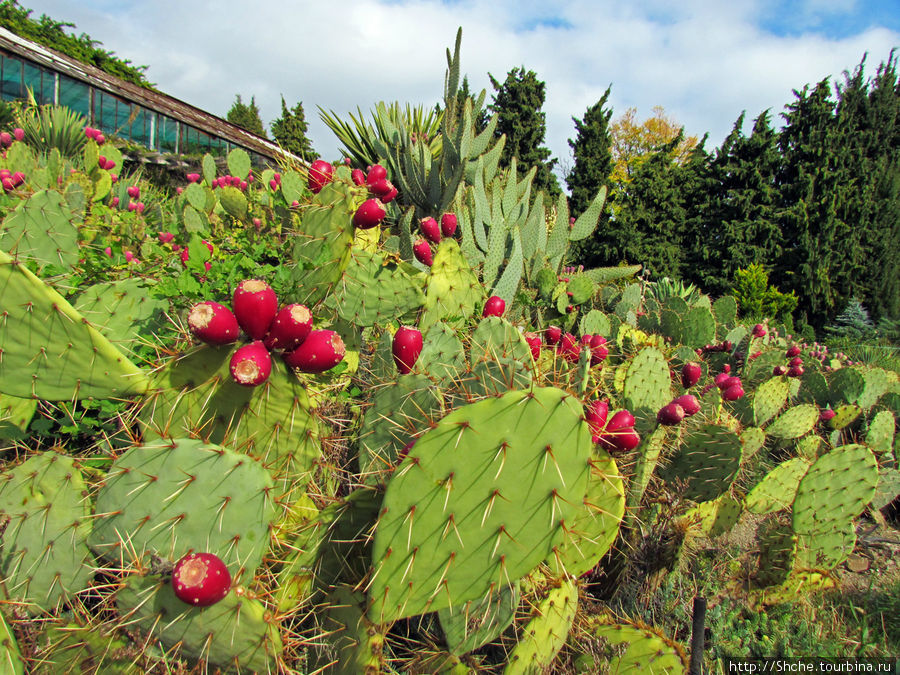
[460,514]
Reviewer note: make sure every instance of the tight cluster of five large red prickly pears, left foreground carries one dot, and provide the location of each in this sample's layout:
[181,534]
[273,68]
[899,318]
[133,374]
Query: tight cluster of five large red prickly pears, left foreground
[288,331]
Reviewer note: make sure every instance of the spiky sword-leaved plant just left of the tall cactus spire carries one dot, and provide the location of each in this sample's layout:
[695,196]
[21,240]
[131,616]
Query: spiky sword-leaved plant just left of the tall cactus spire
[392,124]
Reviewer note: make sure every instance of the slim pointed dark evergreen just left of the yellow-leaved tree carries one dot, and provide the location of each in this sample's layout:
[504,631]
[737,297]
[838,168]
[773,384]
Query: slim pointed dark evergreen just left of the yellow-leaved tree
[593,157]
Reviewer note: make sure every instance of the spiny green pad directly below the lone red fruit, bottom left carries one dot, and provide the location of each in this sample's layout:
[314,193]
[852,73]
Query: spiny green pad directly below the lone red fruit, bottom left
[236,633]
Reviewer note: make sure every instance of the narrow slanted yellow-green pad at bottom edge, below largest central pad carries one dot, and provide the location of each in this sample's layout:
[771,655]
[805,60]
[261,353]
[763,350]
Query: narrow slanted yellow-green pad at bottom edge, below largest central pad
[546,633]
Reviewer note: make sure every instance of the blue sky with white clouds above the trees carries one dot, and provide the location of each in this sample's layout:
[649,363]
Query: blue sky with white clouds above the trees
[703,61]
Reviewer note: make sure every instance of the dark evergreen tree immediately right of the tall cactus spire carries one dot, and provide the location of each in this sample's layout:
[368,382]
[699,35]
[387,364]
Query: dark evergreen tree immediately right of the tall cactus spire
[518,102]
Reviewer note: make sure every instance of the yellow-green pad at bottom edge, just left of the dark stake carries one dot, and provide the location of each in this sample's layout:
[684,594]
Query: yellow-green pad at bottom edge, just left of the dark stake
[645,650]
